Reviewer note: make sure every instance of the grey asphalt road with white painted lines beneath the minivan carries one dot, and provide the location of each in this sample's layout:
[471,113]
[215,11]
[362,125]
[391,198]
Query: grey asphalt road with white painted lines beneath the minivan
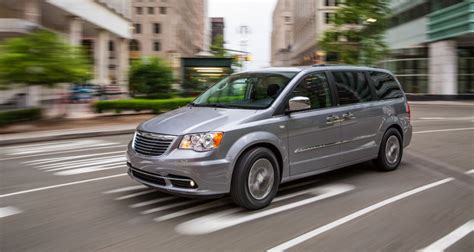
[73,195]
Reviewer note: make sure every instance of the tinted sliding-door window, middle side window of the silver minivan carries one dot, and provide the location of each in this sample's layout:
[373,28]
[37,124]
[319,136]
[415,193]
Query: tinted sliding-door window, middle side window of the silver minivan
[352,87]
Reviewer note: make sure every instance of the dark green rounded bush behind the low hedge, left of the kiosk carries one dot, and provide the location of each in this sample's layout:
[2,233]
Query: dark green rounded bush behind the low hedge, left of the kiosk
[151,77]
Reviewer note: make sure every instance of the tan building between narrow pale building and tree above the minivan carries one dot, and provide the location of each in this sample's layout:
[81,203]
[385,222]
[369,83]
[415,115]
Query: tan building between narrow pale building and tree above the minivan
[310,19]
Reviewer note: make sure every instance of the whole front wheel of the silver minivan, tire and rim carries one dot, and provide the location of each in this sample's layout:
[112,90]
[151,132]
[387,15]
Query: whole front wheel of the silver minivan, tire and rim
[256,179]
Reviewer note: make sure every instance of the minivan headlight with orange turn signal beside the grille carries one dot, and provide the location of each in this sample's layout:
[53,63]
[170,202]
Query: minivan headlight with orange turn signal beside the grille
[201,141]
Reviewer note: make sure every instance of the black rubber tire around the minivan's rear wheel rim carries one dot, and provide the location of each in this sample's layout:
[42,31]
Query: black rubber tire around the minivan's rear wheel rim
[382,162]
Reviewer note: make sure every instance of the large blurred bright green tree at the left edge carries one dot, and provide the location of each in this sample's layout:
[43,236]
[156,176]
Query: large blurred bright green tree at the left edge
[41,58]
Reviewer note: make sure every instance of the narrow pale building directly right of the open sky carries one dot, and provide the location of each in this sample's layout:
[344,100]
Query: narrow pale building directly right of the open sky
[282,33]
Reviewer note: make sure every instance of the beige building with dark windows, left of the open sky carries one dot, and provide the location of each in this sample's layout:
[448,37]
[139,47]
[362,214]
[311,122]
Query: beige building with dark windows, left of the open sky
[169,29]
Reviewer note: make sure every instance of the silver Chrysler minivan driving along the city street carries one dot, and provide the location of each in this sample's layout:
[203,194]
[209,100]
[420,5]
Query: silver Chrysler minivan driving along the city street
[253,131]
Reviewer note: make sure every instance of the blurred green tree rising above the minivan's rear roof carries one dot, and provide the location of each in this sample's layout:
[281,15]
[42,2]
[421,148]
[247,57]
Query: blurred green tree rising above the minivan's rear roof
[357,36]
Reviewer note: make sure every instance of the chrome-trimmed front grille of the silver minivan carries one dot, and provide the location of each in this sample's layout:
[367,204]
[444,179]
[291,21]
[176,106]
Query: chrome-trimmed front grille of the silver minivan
[151,144]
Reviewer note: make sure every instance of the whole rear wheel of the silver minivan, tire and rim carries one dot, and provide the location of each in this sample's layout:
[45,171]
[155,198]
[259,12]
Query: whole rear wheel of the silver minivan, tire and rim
[390,152]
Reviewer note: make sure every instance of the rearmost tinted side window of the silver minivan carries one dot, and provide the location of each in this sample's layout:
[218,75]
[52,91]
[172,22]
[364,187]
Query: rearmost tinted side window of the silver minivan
[386,87]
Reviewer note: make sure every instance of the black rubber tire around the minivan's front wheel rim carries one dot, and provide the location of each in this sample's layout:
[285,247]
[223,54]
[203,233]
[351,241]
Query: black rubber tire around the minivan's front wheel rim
[240,192]
